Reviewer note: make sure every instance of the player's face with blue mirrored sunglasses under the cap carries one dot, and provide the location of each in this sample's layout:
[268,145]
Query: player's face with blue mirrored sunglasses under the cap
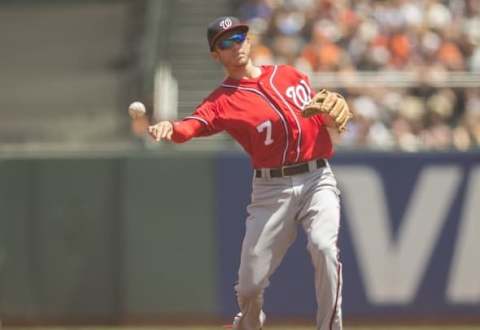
[232,49]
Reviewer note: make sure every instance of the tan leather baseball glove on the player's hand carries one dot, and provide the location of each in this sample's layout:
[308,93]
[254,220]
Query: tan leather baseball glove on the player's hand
[331,104]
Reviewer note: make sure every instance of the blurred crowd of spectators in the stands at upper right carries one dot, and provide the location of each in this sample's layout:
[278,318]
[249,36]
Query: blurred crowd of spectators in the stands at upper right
[382,35]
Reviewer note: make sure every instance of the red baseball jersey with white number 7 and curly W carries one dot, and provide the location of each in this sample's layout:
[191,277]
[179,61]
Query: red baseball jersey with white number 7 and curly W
[263,115]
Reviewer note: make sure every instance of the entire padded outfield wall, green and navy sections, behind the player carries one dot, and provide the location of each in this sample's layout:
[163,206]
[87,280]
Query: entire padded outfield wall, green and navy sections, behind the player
[156,237]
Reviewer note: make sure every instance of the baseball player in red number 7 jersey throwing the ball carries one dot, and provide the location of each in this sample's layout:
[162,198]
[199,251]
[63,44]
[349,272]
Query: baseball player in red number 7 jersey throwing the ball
[283,125]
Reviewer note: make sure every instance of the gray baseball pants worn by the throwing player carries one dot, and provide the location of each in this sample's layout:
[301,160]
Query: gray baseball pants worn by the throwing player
[278,206]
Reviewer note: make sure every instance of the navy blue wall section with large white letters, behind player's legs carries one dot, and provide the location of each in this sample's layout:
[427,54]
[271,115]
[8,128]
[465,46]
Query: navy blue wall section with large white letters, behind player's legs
[408,239]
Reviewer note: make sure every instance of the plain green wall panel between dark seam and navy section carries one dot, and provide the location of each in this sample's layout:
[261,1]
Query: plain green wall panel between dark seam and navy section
[169,236]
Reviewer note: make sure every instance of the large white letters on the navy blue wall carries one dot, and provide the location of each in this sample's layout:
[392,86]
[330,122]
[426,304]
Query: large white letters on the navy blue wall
[392,268]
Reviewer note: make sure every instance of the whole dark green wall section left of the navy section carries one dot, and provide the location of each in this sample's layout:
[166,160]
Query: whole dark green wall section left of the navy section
[106,238]
